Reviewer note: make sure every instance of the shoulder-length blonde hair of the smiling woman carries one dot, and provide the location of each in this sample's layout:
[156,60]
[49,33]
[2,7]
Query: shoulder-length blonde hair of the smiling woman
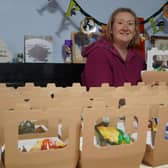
[136,40]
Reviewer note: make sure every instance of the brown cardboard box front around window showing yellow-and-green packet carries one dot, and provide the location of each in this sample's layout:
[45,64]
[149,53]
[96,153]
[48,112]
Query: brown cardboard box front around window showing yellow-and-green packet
[117,156]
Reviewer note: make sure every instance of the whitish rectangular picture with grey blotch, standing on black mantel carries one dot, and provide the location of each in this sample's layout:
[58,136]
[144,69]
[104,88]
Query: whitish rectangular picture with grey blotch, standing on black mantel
[38,49]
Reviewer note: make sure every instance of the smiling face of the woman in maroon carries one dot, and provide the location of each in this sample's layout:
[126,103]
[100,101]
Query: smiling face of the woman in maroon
[123,28]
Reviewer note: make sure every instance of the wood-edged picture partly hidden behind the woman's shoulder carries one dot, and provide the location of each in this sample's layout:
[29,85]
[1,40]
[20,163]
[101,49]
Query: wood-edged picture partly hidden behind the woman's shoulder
[80,40]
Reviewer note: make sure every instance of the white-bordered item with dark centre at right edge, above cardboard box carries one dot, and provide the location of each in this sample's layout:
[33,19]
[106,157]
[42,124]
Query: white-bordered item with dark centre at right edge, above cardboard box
[157,60]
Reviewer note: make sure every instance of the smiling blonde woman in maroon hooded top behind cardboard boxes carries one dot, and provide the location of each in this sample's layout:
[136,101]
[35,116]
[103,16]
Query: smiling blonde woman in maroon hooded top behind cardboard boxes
[115,58]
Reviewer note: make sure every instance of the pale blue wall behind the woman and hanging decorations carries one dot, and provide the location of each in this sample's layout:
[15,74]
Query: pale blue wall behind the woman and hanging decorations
[21,17]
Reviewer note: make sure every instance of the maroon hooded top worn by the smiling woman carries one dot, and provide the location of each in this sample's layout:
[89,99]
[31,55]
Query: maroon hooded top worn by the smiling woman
[104,65]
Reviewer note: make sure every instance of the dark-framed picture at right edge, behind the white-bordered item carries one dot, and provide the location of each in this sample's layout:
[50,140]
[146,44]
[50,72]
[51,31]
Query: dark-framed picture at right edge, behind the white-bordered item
[160,42]
